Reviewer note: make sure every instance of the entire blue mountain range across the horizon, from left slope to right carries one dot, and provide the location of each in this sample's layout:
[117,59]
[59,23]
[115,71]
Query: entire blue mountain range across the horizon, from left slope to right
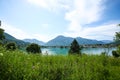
[58,41]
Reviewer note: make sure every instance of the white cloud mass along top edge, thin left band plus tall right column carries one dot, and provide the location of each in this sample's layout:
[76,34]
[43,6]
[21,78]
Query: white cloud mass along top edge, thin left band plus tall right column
[77,12]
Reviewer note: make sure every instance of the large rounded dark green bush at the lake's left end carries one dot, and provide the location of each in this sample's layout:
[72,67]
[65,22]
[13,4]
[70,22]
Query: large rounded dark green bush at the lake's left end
[33,48]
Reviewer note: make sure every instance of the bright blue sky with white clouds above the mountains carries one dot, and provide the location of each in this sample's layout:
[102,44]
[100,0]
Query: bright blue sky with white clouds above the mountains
[46,19]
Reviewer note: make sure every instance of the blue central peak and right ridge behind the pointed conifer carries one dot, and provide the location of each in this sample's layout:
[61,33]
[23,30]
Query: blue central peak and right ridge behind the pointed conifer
[66,41]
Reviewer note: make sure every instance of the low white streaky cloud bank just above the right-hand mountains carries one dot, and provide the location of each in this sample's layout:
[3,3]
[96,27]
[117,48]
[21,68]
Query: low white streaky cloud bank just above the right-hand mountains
[102,32]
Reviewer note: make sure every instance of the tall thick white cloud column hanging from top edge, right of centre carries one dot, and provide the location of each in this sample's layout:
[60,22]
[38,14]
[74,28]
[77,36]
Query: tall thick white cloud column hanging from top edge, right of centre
[84,12]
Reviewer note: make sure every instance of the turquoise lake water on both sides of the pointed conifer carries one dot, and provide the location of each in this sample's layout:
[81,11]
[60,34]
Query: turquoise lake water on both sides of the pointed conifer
[64,51]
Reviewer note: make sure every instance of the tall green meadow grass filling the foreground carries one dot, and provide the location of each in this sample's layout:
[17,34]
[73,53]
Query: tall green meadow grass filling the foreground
[17,65]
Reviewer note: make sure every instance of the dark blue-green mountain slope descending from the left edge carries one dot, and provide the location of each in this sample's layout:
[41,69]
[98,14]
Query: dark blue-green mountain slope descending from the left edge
[9,38]
